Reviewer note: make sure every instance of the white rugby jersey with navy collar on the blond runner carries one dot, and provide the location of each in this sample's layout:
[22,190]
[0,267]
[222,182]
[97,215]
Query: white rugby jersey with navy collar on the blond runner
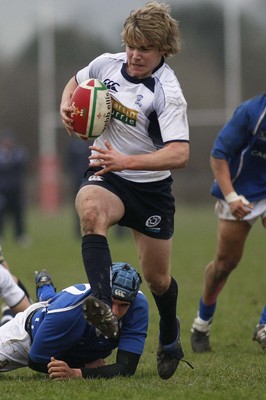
[146,113]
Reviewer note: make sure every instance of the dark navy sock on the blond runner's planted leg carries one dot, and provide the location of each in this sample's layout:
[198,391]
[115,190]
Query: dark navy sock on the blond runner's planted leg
[166,305]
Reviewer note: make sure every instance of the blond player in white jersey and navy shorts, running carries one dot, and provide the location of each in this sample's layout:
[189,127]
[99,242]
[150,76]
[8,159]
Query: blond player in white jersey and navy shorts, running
[129,177]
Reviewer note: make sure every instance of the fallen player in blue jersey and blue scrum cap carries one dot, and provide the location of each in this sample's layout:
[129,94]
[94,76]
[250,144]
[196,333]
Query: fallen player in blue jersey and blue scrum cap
[56,329]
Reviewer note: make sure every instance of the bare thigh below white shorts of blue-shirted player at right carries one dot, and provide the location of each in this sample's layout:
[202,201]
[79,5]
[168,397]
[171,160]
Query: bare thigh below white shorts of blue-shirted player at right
[231,239]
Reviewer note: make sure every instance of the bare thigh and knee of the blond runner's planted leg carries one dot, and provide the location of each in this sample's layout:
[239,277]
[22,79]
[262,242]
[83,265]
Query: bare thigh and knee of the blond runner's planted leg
[154,257]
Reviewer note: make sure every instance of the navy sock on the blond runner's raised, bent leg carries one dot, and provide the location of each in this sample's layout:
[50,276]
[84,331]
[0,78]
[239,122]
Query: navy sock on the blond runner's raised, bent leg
[97,262]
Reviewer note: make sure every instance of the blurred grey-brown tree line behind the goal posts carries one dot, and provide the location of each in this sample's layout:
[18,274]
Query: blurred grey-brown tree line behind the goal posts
[199,68]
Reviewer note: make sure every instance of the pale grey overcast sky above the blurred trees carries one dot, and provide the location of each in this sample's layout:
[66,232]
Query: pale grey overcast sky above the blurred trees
[19,18]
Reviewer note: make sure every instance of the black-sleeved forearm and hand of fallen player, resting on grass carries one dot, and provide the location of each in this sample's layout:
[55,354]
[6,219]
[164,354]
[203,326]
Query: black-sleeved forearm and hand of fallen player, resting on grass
[125,365]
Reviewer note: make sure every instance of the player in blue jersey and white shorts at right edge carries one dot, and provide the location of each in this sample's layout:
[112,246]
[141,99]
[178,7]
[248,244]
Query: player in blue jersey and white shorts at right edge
[238,161]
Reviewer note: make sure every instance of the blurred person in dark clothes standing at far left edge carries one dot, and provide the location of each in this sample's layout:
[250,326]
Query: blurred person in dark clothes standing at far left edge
[13,161]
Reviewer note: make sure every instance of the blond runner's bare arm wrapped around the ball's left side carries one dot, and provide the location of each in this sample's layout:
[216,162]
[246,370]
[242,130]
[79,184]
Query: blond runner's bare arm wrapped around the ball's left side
[65,107]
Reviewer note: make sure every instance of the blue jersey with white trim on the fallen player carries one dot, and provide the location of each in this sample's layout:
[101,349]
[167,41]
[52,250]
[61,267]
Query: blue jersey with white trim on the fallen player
[60,330]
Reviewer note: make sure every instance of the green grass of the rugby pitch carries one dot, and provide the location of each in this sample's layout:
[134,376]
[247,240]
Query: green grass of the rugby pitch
[236,367]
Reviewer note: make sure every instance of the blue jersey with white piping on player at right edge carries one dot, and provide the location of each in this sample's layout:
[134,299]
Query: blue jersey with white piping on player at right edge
[242,143]
